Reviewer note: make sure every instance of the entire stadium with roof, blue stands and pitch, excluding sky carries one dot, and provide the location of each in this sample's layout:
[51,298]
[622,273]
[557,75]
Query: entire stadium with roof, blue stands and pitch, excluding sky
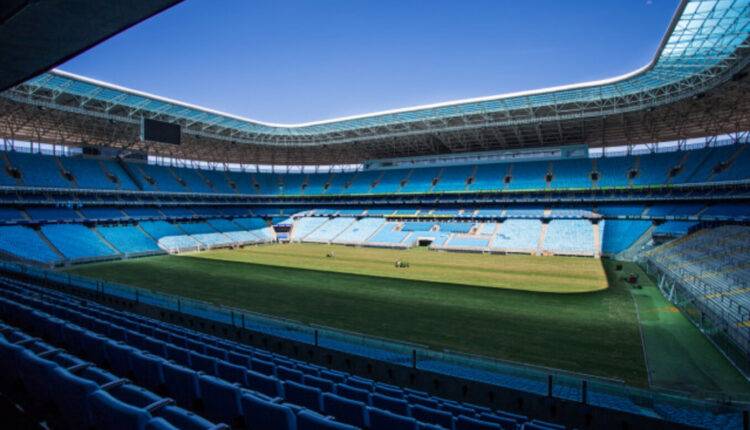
[575,257]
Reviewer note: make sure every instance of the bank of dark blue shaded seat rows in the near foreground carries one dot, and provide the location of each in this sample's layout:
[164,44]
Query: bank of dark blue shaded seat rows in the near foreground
[197,375]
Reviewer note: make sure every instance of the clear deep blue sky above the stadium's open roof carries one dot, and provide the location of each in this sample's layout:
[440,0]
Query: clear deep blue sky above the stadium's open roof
[304,60]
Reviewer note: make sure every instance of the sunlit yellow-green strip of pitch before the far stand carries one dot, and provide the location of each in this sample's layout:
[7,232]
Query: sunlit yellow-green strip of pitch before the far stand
[523,272]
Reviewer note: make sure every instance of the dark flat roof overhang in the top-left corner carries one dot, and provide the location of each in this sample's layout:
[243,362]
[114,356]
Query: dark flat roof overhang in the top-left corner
[38,35]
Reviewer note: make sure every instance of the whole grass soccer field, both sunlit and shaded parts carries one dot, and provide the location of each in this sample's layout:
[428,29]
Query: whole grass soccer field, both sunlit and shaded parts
[507,316]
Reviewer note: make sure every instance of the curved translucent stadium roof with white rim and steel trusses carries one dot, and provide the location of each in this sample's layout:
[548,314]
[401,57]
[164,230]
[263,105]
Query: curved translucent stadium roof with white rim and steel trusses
[699,69]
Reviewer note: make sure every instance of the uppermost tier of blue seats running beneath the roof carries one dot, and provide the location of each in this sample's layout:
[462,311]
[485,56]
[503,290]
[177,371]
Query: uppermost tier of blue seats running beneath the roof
[722,163]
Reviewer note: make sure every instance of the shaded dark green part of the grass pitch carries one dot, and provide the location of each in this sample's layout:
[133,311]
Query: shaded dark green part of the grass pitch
[595,333]
